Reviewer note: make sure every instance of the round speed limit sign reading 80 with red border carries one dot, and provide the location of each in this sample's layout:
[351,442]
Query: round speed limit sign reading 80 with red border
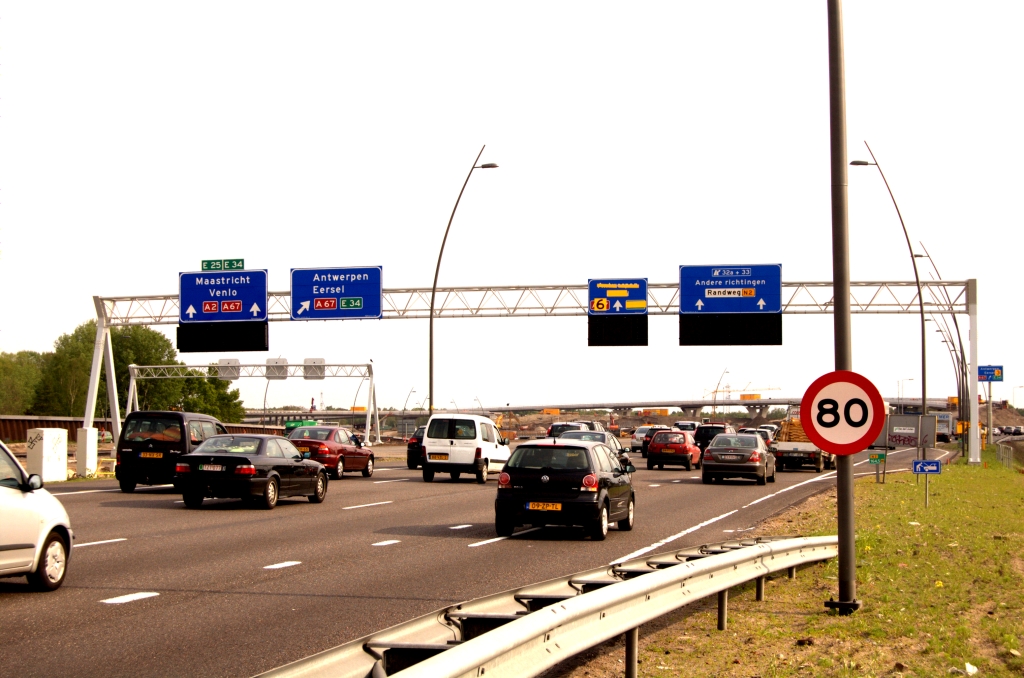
[842,413]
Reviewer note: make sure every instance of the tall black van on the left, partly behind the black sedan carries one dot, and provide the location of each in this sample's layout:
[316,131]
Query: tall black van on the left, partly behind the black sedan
[151,444]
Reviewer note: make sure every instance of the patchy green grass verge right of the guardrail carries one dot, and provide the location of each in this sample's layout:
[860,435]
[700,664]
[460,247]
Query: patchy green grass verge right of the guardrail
[943,587]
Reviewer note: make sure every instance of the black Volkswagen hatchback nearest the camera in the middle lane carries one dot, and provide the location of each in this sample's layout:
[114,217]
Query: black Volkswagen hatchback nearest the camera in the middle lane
[565,484]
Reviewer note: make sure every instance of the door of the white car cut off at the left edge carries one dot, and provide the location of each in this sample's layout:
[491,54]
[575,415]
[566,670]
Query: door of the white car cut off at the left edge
[21,525]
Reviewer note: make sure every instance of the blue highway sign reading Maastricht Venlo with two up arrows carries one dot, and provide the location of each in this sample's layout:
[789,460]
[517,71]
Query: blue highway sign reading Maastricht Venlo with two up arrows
[223,298]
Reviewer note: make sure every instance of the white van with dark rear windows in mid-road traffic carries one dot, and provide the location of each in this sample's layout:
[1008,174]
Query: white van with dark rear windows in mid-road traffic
[458,444]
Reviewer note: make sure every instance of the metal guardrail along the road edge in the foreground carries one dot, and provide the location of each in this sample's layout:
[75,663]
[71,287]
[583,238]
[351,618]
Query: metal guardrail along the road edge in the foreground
[527,631]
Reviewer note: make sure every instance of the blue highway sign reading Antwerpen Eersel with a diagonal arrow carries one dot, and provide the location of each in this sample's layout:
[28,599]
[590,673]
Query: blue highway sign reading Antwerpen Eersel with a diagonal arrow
[331,294]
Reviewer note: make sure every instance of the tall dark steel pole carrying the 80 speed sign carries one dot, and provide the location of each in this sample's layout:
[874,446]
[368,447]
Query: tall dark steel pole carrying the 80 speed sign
[847,603]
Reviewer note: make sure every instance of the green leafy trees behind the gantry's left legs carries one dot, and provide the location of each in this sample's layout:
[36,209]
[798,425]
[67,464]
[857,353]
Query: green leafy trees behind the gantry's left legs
[56,384]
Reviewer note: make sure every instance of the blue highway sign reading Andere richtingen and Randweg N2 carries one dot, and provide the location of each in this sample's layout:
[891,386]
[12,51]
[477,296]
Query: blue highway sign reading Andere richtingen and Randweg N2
[751,289]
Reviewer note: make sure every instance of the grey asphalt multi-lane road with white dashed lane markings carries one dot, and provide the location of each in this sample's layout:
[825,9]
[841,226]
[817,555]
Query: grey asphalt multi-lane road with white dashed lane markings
[378,552]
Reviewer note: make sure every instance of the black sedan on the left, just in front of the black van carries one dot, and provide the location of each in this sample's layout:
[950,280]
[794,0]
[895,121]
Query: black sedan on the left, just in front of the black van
[258,470]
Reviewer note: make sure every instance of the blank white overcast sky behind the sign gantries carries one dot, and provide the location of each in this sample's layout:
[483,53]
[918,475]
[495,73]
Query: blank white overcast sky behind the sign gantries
[139,139]
